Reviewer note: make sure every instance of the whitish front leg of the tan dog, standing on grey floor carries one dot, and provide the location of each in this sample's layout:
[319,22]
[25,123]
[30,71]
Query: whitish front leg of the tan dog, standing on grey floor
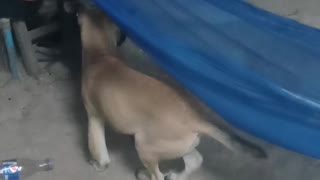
[97,143]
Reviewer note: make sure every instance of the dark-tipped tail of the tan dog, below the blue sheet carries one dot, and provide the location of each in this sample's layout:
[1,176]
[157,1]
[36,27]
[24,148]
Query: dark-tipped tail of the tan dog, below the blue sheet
[233,142]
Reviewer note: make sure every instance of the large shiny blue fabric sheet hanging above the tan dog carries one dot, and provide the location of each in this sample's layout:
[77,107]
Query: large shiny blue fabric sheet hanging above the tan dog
[258,70]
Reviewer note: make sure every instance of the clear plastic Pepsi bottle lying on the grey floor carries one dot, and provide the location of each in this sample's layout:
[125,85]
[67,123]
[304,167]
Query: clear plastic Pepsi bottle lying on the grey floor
[23,168]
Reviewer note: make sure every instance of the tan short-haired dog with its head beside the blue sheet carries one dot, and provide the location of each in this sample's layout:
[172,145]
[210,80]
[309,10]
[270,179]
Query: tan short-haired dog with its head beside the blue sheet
[163,123]
